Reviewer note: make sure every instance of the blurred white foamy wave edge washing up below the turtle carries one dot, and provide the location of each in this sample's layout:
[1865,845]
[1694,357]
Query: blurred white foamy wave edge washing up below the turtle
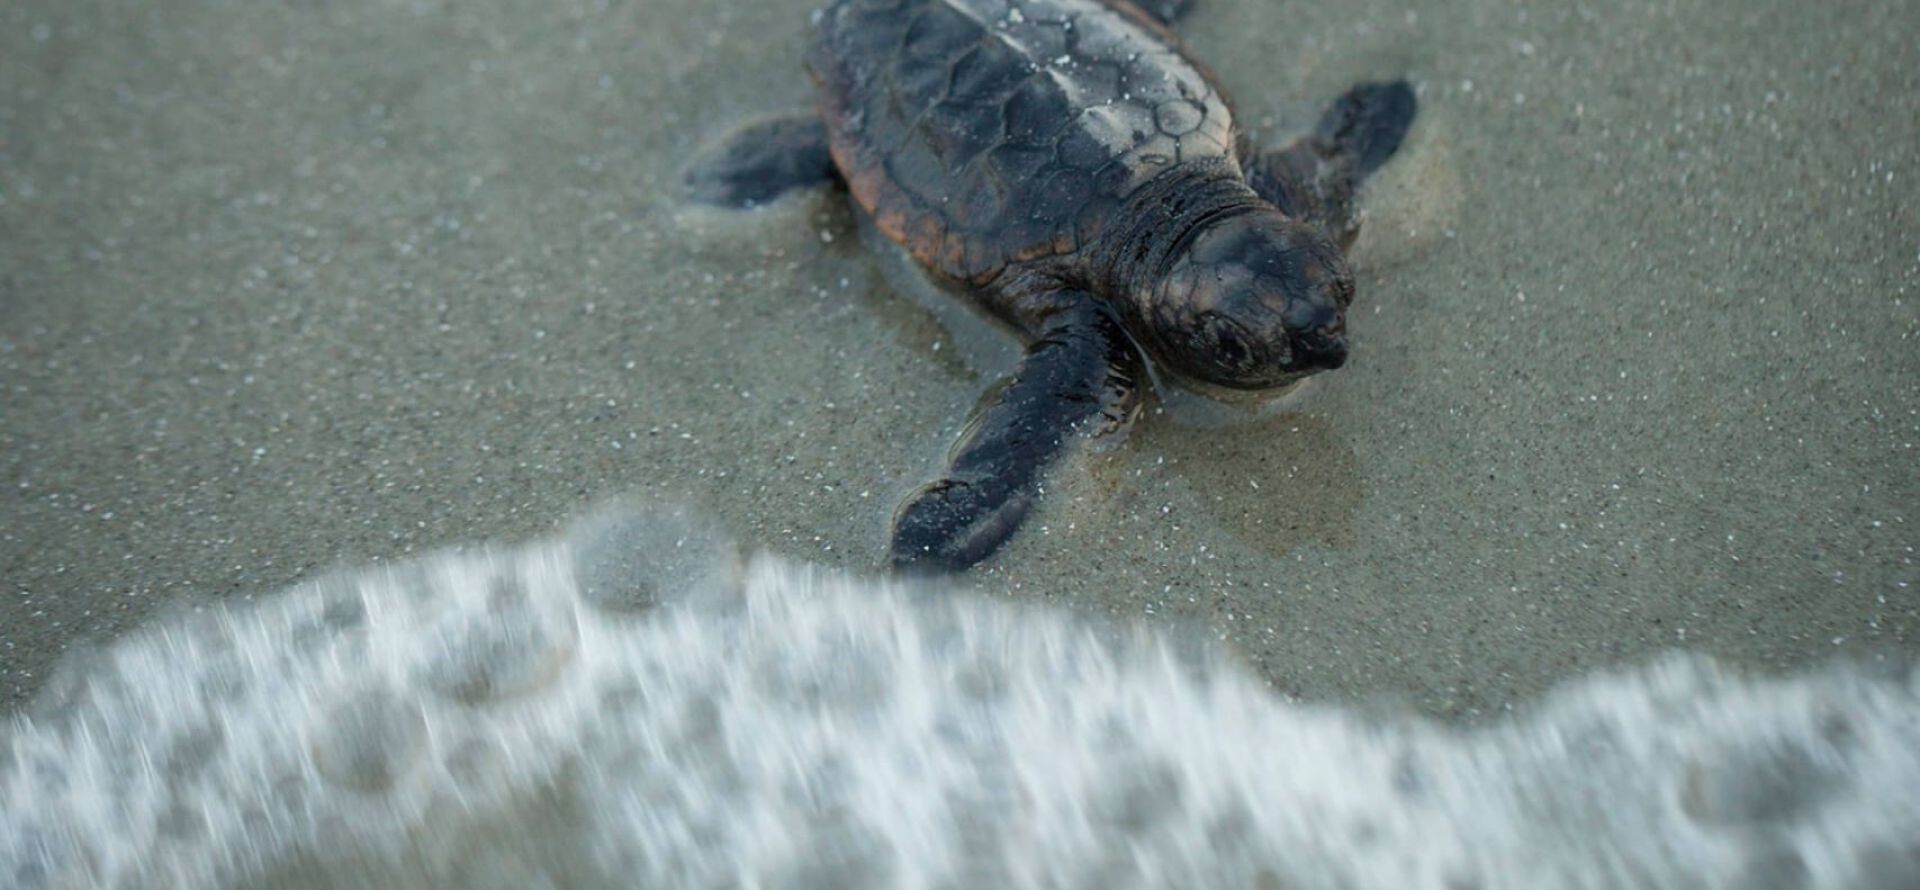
[629,709]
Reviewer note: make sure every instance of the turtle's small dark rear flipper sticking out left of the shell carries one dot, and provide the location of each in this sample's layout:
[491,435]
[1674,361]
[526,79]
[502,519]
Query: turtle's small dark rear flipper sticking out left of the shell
[761,162]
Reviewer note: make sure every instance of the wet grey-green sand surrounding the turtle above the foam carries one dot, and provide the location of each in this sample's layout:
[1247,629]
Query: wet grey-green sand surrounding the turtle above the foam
[1635,354]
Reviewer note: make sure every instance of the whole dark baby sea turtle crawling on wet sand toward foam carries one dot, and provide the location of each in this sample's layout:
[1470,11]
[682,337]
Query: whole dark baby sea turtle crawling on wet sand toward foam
[1082,179]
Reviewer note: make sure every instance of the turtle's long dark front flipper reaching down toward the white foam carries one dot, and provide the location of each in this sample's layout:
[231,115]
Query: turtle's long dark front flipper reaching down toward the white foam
[1080,381]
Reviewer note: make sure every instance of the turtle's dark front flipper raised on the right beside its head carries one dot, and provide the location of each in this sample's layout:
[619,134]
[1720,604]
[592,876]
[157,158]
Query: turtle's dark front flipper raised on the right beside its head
[1316,177]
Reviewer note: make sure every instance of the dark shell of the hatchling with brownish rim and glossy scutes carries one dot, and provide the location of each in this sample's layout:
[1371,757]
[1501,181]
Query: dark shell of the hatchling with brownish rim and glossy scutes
[982,133]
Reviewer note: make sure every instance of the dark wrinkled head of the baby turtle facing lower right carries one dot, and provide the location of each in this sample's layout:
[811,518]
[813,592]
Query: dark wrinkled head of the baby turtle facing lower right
[1253,302]
